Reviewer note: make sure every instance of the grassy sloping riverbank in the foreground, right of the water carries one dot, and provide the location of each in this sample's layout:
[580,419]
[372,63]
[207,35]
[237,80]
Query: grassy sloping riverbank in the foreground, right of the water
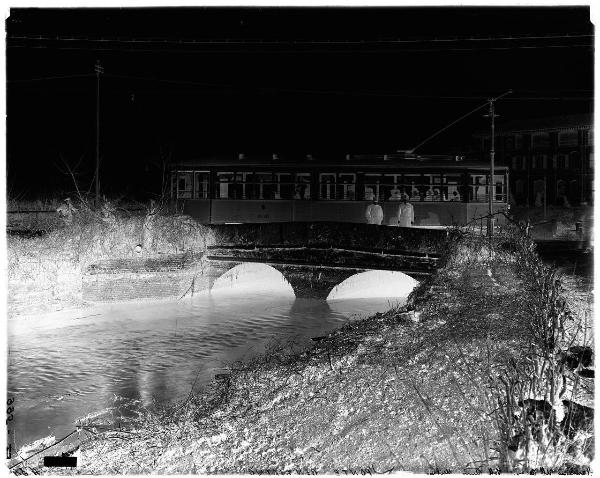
[414,389]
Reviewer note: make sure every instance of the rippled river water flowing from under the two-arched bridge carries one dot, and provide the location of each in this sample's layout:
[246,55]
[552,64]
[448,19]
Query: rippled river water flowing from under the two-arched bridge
[70,365]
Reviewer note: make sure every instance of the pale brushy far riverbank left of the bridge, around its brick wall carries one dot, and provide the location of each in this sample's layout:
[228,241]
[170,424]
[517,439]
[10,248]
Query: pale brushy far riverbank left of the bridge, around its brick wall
[45,270]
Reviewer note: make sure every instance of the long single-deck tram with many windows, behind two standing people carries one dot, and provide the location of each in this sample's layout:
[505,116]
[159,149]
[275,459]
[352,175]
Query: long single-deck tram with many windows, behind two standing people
[443,191]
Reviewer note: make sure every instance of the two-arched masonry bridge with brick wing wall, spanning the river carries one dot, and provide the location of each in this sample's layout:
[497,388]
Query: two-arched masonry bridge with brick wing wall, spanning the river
[312,257]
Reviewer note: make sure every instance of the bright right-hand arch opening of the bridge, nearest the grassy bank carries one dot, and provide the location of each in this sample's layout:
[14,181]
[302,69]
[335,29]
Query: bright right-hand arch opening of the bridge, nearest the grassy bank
[374,283]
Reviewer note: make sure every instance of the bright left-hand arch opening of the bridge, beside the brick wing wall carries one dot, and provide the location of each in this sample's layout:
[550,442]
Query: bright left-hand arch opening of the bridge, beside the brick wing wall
[253,277]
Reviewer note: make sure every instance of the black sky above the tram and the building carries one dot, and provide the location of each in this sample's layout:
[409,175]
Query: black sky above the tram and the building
[295,80]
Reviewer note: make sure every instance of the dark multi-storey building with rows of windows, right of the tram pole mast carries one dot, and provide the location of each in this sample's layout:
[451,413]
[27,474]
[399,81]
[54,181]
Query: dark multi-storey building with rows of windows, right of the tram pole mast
[552,156]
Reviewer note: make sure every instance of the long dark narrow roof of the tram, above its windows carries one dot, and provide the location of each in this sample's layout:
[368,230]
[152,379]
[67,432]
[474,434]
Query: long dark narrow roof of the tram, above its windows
[352,161]
